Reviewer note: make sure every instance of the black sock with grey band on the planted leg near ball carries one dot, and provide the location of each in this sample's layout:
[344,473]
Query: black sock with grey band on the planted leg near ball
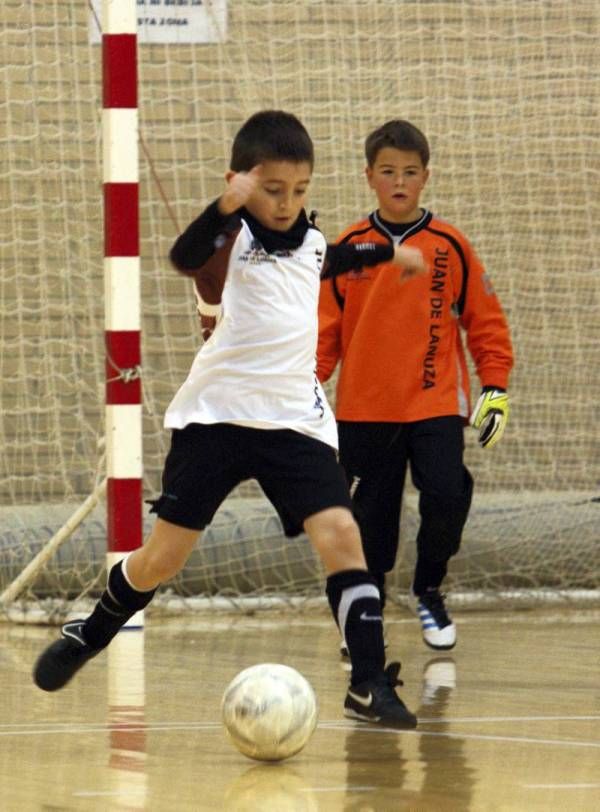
[354,600]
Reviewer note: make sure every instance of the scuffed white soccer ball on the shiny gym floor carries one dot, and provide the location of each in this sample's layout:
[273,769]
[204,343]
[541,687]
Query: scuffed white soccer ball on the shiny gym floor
[269,711]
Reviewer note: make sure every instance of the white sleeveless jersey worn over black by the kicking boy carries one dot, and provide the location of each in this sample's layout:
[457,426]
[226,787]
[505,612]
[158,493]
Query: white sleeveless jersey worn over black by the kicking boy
[258,369]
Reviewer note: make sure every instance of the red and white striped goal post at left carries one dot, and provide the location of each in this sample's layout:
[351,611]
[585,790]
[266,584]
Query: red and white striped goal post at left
[122,279]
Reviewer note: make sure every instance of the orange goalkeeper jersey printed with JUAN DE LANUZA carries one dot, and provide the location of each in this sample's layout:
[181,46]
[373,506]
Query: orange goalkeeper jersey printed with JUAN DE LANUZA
[400,345]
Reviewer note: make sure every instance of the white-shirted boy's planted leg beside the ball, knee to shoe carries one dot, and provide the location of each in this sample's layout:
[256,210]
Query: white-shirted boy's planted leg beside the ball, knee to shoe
[356,607]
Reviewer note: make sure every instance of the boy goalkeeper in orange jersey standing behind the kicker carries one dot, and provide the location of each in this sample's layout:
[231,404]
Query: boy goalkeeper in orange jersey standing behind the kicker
[403,389]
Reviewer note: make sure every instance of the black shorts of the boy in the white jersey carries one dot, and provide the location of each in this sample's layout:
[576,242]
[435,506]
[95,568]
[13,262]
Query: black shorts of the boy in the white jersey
[299,475]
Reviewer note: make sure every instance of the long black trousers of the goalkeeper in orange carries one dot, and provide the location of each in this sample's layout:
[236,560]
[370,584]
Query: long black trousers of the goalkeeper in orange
[375,458]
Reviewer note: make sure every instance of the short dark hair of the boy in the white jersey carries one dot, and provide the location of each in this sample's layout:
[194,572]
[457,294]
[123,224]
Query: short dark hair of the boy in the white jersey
[271,135]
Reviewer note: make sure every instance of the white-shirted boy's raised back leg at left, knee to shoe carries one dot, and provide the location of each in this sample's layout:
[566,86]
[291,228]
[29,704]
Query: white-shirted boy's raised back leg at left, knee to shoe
[132,583]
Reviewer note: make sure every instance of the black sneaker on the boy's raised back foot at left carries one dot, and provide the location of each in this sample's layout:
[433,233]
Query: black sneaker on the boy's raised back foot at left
[63,658]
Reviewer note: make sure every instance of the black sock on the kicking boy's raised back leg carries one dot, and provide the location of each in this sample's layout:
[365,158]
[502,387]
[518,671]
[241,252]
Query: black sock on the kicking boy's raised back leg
[118,603]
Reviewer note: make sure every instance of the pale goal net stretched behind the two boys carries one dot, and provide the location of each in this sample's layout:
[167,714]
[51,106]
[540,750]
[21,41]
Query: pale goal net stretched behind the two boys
[508,94]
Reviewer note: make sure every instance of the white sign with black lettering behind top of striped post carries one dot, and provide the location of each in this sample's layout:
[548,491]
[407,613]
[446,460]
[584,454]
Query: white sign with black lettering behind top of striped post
[162,21]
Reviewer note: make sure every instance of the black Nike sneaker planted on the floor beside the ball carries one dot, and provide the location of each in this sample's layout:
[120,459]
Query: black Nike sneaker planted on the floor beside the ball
[377,701]
